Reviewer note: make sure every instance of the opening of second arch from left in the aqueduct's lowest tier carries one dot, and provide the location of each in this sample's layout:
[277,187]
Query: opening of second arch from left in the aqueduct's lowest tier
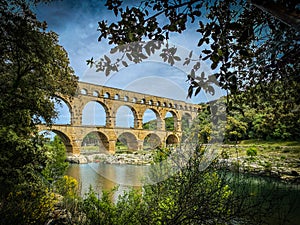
[98,139]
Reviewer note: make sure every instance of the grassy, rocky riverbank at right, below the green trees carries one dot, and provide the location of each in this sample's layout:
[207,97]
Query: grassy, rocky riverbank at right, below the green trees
[278,161]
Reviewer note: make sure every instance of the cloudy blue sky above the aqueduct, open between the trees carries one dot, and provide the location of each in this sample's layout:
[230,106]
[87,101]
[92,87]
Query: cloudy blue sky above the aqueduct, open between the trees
[76,23]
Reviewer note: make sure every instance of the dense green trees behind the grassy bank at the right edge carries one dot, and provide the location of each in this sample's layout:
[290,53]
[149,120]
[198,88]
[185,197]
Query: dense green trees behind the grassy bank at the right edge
[270,115]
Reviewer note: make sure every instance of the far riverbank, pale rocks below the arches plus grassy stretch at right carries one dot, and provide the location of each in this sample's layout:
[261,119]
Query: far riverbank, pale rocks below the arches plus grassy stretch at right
[282,162]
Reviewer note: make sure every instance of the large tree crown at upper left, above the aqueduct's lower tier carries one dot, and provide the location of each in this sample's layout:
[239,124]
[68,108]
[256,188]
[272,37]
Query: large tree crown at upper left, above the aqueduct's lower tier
[33,67]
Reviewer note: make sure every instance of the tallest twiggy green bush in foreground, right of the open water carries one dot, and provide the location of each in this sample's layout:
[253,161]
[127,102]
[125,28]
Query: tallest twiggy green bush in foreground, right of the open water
[188,197]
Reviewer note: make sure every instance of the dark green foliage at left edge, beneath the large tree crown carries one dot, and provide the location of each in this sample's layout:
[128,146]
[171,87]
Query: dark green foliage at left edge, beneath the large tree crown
[21,159]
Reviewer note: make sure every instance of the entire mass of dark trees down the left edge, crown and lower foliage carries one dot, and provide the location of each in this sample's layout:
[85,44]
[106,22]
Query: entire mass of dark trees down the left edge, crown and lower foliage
[34,70]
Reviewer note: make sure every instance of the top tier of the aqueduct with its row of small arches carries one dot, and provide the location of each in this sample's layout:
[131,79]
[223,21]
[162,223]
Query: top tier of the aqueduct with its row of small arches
[103,92]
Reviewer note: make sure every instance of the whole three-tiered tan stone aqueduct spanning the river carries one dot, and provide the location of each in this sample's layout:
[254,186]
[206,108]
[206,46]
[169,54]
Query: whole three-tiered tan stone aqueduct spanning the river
[112,99]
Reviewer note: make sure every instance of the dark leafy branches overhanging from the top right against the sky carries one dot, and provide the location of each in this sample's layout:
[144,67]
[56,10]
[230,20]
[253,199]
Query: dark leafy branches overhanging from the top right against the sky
[245,42]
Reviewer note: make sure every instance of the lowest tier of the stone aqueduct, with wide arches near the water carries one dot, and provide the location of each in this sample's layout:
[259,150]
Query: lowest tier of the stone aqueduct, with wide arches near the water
[135,139]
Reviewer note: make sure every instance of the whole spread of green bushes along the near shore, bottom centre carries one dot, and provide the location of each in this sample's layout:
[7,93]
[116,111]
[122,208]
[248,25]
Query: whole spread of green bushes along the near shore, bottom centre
[188,197]
